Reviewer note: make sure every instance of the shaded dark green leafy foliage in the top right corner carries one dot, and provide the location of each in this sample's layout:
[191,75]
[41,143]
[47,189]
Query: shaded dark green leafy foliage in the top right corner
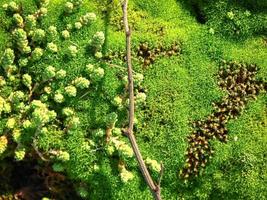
[233,19]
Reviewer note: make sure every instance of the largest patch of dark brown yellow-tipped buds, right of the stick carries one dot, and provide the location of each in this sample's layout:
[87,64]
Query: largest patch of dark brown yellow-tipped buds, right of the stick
[239,81]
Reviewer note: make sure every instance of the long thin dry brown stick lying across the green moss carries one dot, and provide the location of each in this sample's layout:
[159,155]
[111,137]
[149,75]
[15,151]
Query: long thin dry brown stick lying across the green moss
[155,188]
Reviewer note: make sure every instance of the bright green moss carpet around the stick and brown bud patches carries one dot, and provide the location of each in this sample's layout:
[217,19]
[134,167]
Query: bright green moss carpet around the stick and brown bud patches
[181,89]
